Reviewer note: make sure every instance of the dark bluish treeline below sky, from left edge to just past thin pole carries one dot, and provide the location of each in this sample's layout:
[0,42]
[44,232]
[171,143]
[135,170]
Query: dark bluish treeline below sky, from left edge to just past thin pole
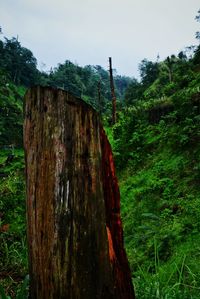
[19,65]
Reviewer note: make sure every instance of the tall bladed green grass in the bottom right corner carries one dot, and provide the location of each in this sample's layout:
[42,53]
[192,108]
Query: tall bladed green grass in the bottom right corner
[174,280]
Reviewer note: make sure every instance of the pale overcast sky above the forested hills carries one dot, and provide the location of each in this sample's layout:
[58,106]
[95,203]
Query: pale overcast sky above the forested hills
[89,31]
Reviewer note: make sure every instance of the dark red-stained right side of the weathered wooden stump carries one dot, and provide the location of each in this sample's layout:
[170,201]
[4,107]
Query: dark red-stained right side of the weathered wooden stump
[119,262]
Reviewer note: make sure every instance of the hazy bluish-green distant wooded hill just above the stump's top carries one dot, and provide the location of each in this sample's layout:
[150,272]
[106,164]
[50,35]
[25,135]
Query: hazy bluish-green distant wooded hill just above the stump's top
[86,82]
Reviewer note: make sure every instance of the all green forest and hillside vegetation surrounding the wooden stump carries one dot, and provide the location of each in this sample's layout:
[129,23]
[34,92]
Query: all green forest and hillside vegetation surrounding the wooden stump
[156,145]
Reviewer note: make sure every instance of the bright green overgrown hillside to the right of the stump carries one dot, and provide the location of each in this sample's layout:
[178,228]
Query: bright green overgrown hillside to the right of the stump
[156,146]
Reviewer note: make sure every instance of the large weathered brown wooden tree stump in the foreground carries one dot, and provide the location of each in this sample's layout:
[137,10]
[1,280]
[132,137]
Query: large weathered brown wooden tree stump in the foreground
[74,228]
